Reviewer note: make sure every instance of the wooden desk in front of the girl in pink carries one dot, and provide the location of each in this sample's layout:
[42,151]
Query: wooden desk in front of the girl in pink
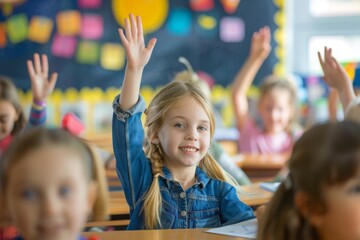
[260,167]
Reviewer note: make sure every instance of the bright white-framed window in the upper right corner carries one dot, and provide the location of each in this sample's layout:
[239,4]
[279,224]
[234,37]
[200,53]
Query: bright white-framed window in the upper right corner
[313,24]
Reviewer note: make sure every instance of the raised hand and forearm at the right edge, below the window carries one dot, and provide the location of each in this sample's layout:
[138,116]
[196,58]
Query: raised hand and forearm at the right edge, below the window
[336,77]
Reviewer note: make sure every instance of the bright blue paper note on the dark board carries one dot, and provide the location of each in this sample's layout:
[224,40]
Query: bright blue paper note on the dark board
[179,22]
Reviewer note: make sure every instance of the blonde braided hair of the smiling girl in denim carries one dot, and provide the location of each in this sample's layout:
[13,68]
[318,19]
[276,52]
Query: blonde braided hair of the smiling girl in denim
[156,113]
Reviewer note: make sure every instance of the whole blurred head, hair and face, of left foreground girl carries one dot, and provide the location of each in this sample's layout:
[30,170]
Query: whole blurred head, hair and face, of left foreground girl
[50,181]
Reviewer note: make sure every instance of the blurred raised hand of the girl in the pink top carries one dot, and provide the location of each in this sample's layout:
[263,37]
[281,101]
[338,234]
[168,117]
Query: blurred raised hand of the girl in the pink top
[260,44]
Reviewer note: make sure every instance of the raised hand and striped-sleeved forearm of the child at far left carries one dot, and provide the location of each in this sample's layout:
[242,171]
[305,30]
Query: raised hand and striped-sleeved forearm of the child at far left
[42,86]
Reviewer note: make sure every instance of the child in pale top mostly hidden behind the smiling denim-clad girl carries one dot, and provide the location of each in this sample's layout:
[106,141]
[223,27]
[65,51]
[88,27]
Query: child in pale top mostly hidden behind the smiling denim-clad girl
[215,150]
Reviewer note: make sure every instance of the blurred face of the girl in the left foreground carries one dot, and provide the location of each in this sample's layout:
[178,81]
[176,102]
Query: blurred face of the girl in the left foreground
[48,194]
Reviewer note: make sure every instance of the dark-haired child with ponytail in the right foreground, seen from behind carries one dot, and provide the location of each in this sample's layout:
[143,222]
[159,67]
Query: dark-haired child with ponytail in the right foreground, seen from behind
[320,198]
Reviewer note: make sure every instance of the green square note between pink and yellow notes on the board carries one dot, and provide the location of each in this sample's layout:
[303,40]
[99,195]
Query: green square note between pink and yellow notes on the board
[88,52]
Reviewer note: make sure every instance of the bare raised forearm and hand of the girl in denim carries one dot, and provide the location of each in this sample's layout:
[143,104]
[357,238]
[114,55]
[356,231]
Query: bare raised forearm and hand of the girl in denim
[137,55]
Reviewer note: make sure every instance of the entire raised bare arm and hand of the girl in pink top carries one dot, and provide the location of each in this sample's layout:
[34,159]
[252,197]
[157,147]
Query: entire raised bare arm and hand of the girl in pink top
[259,51]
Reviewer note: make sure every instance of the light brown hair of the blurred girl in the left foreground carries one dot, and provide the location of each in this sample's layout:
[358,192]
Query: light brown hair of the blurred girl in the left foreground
[39,137]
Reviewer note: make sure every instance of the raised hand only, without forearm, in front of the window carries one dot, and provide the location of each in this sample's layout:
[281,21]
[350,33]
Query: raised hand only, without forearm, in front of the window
[334,74]
